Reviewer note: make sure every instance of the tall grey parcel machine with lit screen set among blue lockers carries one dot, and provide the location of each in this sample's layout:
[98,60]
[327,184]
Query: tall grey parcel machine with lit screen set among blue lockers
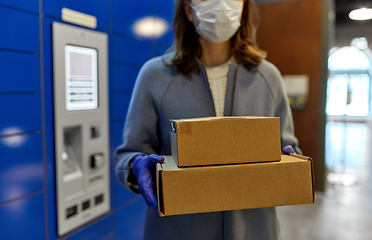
[81,125]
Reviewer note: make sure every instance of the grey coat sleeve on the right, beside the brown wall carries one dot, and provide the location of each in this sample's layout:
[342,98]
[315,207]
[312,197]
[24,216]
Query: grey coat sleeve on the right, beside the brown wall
[283,110]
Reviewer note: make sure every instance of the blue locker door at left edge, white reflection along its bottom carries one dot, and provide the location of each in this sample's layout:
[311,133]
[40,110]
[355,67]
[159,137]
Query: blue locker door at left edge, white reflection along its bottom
[23,114]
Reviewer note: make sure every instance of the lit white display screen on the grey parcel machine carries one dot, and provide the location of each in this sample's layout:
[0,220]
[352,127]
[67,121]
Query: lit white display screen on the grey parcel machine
[81,78]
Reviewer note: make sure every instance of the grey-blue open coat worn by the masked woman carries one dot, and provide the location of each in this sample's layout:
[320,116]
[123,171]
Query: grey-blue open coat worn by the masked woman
[160,94]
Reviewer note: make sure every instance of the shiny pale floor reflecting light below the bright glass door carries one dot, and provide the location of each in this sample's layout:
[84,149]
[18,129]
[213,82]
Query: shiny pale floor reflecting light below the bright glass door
[344,210]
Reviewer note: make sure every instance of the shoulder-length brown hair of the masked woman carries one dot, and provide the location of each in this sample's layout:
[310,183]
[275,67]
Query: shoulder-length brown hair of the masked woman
[243,47]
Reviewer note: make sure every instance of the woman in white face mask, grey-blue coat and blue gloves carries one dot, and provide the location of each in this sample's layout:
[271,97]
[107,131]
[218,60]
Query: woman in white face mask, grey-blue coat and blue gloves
[215,70]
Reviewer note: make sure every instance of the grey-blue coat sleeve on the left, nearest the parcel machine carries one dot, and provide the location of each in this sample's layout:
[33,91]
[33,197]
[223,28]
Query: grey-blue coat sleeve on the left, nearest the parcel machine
[140,130]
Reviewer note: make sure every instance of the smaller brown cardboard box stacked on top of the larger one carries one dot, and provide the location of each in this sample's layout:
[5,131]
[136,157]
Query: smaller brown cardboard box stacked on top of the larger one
[225,140]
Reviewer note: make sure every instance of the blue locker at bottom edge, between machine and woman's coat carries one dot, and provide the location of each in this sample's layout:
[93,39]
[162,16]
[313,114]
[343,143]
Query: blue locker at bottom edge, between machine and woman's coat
[130,220]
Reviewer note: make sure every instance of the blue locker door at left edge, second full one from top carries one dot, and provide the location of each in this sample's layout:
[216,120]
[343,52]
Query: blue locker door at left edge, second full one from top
[21,72]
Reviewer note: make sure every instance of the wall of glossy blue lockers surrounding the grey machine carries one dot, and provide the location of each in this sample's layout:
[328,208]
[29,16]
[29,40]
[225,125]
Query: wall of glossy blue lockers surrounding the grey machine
[27,193]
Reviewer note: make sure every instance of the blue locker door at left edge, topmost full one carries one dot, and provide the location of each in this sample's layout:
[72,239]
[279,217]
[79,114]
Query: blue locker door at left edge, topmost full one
[21,31]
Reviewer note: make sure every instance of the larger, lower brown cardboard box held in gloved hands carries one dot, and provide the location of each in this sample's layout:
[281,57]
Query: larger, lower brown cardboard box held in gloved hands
[232,187]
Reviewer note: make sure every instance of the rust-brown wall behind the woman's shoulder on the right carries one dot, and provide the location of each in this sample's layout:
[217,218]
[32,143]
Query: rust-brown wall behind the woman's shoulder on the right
[294,35]
